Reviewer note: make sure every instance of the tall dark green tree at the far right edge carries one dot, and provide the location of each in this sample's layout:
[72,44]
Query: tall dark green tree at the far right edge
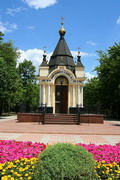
[109,77]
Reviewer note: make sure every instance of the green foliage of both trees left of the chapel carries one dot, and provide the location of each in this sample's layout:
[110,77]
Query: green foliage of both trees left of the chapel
[16,85]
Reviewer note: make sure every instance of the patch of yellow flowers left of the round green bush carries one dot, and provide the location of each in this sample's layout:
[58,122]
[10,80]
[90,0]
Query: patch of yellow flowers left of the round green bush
[18,169]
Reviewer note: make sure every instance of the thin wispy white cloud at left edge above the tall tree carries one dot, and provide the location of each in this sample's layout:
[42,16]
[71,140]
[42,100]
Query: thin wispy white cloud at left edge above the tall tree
[7,27]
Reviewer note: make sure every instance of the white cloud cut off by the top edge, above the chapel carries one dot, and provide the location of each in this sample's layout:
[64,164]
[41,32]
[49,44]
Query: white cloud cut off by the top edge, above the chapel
[40,3]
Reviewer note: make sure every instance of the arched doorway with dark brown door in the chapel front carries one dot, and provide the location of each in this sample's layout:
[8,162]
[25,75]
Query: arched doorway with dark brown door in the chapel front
[61,95]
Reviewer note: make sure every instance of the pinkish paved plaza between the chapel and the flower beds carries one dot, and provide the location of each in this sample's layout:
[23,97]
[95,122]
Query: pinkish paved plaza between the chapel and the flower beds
[107,133]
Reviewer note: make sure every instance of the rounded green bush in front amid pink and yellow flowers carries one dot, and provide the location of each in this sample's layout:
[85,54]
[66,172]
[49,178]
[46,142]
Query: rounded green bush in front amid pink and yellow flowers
[64,161]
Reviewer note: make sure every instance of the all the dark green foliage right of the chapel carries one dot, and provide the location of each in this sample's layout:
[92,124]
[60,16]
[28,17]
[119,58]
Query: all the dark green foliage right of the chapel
[105,89]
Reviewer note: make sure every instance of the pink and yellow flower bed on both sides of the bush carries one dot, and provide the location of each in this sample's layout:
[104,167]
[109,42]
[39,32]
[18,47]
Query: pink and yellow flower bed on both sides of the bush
[17,159]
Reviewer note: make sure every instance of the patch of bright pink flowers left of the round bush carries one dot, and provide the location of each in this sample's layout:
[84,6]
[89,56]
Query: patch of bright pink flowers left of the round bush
[13,150]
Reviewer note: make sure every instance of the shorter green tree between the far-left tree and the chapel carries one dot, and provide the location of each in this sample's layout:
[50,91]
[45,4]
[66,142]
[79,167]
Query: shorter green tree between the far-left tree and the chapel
[27,71]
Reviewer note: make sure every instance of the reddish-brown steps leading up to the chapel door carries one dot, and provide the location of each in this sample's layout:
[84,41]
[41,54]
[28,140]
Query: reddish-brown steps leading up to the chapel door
[60,119]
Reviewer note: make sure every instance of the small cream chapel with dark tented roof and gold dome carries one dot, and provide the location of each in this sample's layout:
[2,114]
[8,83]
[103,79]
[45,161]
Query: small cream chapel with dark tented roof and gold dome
[61,80]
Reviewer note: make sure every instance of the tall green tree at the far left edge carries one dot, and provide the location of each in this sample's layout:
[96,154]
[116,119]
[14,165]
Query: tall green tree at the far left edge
[10,82]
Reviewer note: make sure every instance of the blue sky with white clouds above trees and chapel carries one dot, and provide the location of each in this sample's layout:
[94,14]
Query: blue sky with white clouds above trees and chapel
[32,24]
